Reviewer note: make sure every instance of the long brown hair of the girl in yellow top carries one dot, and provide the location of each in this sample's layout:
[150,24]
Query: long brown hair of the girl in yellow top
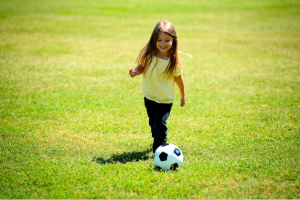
[146,55]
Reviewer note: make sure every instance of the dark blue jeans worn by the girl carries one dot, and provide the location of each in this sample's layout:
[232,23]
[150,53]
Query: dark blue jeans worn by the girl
[158,114]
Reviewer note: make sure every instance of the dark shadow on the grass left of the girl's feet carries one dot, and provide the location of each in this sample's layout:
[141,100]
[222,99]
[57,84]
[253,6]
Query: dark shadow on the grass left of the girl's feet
[124,158]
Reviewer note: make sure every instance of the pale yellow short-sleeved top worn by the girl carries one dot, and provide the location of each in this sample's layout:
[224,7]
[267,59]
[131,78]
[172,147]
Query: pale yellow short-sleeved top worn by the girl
[157,86]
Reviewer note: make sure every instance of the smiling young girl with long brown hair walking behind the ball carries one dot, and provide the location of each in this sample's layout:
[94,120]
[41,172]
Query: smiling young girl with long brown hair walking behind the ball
[160,65]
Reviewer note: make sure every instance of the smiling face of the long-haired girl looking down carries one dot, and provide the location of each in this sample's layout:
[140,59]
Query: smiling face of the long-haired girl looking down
[164,44]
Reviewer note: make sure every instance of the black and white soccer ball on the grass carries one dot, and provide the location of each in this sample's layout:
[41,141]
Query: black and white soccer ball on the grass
[168,157]
